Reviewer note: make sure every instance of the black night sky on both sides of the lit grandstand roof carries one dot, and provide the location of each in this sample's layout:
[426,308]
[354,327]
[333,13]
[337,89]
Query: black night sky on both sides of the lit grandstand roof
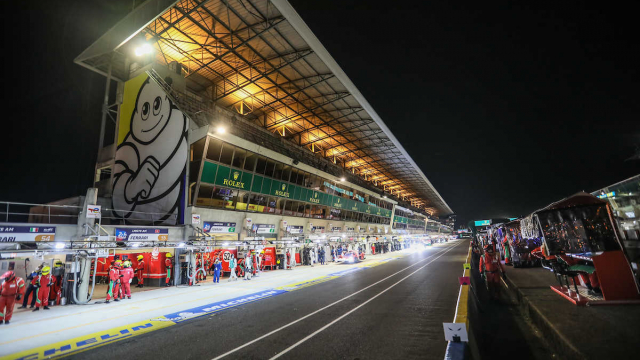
[506,108]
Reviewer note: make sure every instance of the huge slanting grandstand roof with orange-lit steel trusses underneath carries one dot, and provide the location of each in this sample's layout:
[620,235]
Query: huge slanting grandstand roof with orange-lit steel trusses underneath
[259,58]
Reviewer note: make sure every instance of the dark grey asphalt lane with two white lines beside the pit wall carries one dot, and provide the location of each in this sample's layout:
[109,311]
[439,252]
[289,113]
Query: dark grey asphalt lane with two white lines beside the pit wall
[396,312]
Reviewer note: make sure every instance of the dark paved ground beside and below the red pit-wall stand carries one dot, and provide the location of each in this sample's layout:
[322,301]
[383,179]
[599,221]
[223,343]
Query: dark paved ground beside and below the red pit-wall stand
[575,332]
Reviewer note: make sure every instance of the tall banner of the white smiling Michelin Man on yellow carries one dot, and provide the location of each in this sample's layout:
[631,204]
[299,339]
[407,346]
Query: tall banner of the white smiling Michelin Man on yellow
[150,164]
